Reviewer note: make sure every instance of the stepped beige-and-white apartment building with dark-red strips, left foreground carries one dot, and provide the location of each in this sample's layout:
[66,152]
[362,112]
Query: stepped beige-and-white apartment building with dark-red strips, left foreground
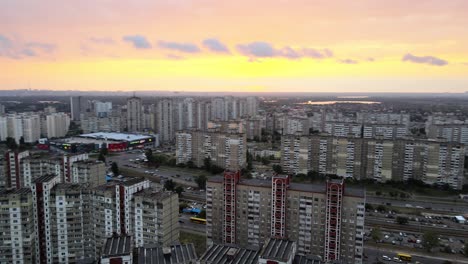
[73,221]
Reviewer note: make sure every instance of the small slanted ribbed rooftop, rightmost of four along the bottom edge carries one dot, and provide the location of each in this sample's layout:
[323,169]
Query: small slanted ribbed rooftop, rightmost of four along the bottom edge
[278,249]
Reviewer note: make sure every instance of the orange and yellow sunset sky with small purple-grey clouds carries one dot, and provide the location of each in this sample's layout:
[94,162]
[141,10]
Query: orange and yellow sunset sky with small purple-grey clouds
[242,46]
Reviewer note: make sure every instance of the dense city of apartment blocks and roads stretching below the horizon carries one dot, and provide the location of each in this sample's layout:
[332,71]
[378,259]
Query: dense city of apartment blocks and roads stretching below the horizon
[229,179]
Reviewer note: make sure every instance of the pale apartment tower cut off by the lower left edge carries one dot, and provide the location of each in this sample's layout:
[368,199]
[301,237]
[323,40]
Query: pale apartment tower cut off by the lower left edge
[17,226]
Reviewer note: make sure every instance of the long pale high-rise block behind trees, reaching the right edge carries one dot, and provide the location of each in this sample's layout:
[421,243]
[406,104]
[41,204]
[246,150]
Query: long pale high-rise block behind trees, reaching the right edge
[433,162]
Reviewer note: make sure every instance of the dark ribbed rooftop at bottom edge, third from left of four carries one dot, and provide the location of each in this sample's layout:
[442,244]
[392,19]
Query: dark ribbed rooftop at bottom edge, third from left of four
[229,254]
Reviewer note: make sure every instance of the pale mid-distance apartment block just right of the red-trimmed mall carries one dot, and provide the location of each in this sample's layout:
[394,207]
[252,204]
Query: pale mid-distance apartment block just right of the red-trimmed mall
[226,150]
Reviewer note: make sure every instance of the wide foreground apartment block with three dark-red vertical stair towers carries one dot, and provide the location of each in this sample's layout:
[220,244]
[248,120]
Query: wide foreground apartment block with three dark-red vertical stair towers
[327,221]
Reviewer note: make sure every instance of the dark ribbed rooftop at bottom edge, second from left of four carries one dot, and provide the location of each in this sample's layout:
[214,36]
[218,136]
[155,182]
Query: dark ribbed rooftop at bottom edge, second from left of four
[179,254]
